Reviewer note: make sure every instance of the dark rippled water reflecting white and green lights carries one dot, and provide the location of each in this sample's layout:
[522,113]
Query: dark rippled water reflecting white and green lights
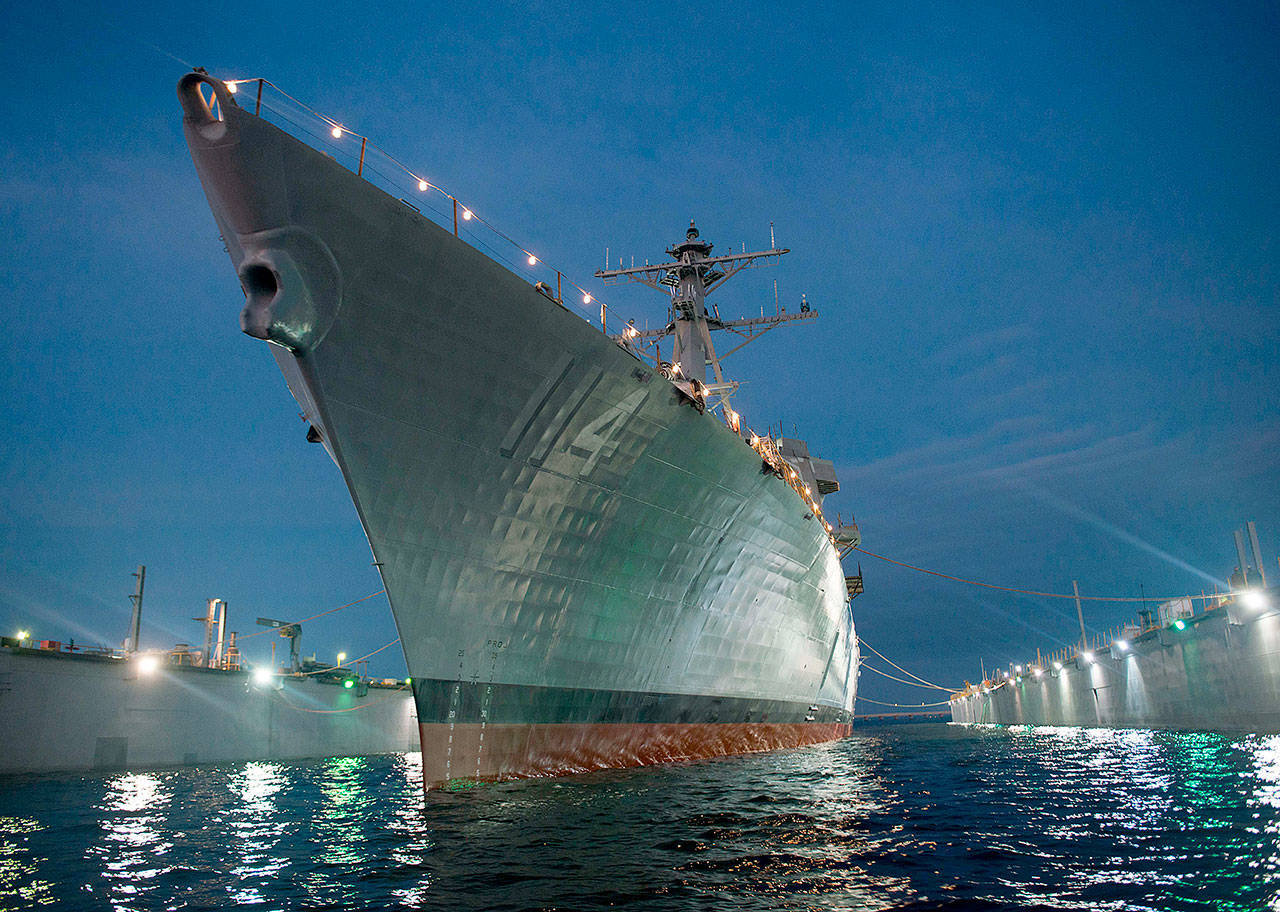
[922,817]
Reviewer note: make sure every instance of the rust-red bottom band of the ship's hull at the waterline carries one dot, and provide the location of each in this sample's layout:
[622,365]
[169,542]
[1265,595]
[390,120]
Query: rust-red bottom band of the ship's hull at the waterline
[488,753]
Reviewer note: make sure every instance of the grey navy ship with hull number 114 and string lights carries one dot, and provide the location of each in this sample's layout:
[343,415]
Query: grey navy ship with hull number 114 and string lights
[589,560]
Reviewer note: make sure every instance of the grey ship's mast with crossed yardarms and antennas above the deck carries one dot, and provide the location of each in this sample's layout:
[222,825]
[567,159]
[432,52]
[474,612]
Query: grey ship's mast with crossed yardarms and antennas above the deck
[691,277]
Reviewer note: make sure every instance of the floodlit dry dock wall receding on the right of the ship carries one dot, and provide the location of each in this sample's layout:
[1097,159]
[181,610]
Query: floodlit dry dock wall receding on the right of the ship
[1220,674]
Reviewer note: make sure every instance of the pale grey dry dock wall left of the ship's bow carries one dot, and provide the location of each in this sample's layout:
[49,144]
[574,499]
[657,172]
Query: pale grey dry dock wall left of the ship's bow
[66,713]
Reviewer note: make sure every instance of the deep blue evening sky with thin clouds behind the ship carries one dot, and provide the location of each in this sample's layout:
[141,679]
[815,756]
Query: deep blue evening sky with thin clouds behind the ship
[1043,244]
